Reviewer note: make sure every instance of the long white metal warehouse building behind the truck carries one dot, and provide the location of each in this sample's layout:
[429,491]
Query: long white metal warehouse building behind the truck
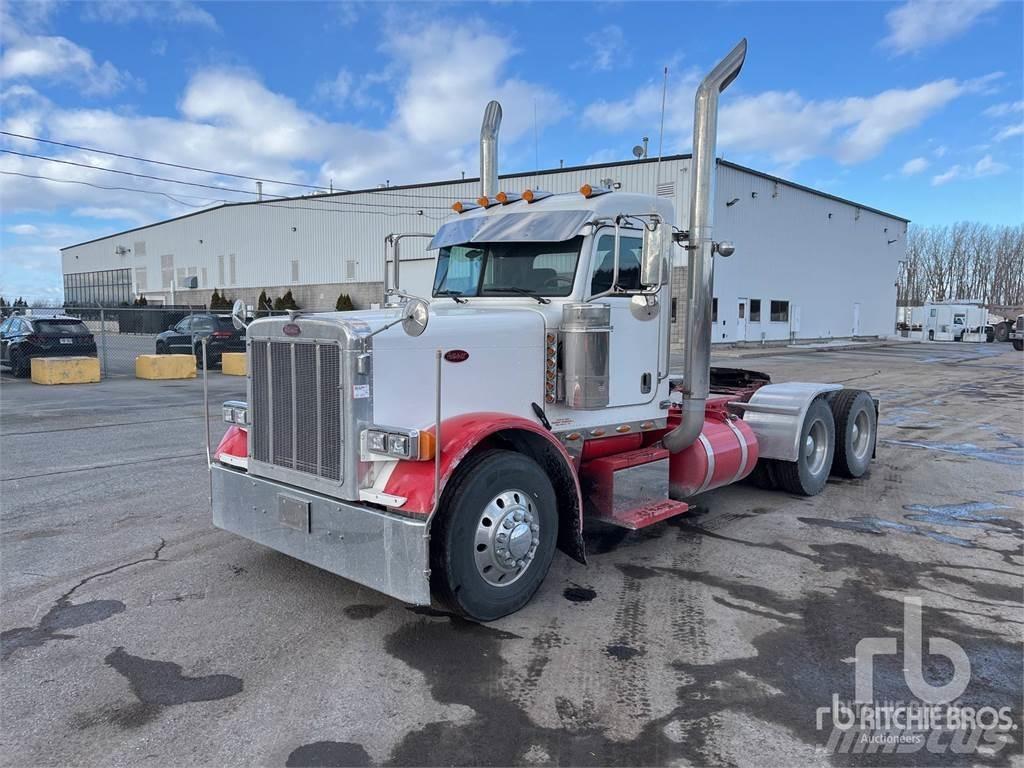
[808,266]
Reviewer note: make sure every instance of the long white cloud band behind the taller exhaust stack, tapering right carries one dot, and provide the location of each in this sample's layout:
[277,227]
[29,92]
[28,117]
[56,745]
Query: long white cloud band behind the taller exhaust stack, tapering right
[784,125]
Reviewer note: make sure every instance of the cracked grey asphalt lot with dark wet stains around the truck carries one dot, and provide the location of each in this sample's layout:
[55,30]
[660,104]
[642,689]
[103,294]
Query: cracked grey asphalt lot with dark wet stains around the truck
[136,633]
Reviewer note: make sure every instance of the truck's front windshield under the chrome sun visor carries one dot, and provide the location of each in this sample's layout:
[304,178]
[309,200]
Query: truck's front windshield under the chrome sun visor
[507,269]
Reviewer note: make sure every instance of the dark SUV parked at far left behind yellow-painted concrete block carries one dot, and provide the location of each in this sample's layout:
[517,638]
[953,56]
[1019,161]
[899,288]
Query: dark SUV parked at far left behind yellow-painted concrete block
[24,337]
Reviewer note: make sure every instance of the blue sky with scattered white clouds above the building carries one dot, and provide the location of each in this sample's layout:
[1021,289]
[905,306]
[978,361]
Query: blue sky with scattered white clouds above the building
[915,108]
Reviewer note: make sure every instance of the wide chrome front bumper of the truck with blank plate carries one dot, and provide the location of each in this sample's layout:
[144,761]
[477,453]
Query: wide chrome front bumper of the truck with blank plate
[382,551]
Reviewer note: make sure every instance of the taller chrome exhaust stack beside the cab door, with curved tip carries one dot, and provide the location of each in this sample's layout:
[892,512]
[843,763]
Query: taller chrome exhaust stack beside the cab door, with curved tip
[701,276]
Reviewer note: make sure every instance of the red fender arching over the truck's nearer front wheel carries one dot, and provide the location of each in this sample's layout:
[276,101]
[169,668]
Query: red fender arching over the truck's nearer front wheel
[460,435]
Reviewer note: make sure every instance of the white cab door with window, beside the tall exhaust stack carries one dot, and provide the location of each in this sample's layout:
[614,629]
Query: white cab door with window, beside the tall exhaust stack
[636,337]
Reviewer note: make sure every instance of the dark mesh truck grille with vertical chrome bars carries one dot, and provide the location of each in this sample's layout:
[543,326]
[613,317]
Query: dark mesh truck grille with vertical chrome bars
[296,408]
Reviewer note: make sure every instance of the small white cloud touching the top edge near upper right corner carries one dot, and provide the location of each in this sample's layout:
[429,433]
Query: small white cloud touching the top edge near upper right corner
[920,24]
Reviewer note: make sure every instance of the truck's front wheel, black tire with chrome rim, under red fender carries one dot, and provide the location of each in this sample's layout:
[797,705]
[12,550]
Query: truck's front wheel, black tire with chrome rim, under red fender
[485,499]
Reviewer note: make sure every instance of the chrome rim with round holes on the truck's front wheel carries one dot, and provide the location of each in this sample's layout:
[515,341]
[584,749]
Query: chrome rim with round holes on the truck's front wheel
[508,534]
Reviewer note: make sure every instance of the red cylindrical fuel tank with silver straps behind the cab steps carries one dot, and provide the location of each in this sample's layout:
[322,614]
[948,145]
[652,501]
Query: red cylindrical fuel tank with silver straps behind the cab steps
[726,453]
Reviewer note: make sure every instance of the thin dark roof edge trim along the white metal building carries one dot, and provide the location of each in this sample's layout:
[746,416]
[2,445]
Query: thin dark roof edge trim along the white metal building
[525,175]
